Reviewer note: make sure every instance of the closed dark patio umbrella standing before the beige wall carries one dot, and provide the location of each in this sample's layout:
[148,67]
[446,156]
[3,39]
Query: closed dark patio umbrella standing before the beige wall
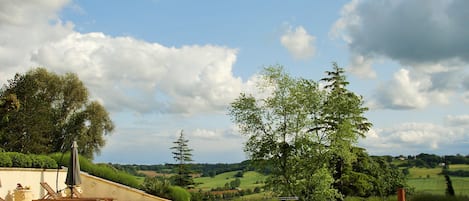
[73,173]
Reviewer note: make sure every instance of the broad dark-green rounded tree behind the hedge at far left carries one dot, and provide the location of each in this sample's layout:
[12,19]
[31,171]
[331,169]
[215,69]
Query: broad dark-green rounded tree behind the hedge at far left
[55,110]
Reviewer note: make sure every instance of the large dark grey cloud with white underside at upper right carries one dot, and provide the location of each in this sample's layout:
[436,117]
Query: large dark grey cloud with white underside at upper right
[427,38]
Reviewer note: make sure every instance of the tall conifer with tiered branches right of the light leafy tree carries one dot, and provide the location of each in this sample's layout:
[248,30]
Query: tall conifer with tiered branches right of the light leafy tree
[340,122]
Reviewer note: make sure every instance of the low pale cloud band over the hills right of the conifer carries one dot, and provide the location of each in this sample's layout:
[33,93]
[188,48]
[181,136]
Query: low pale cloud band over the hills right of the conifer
[414,138]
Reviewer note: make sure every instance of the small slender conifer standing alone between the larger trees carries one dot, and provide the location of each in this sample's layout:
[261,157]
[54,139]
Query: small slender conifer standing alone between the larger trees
[182,154]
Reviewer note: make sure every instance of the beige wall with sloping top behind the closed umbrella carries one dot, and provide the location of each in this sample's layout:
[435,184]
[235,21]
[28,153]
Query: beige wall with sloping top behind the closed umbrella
[91,186]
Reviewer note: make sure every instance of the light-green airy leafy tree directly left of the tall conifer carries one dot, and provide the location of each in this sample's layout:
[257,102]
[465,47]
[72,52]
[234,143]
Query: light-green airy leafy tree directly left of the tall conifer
[277,131]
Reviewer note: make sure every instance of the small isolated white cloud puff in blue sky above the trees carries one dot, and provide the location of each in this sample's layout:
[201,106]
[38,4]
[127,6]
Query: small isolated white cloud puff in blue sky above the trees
[299,43]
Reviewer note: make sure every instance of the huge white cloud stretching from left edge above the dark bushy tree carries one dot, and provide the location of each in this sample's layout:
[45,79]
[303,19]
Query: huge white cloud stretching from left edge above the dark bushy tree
[123,72]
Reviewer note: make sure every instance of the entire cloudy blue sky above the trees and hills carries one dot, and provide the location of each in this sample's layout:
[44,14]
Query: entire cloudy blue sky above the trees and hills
[161,66]
